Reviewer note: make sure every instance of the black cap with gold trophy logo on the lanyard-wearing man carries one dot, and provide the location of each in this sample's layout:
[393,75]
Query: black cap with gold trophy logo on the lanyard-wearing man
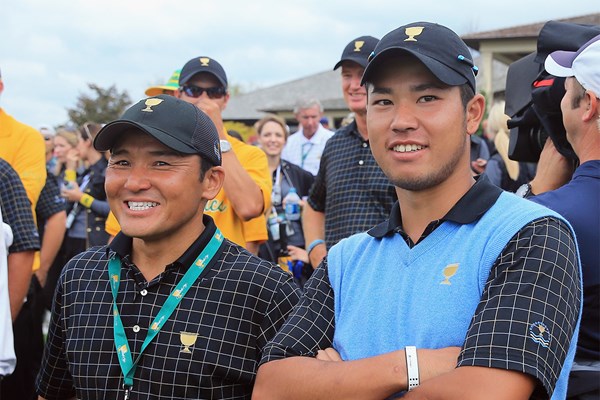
[177,124]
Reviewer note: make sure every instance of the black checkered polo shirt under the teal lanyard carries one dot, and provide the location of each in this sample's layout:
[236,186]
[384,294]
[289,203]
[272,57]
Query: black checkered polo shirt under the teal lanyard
[232,310]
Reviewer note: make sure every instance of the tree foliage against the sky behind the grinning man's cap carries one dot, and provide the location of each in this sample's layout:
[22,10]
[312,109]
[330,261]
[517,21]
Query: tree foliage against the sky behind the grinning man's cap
[101,106]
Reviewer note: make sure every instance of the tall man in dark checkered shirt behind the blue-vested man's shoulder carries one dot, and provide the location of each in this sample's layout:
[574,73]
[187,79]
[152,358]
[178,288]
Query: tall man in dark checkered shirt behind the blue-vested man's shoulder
[350,193]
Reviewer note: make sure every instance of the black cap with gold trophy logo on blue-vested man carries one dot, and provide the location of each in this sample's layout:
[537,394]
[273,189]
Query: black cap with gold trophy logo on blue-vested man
[441,50]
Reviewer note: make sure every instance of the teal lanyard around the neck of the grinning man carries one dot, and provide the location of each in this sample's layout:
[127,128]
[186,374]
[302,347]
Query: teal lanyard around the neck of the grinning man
[122,346]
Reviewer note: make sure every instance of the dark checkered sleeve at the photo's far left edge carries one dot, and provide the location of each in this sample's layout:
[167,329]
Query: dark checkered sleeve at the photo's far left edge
[16,210]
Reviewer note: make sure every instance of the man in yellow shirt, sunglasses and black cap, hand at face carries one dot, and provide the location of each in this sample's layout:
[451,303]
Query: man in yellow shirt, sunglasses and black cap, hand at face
[238,209]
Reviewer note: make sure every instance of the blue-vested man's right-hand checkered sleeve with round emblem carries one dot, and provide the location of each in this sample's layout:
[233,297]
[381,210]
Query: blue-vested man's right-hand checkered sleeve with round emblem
[529,309]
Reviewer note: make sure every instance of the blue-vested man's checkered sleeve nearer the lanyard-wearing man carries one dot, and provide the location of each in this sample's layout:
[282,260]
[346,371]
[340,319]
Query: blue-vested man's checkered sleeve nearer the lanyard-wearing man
[310,327]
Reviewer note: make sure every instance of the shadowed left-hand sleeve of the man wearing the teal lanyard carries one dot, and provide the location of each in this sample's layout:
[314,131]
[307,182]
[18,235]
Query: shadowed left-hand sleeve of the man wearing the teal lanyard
[54,380]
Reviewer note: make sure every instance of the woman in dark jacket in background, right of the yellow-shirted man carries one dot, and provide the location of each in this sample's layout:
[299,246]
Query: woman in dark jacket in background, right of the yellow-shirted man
[286,238]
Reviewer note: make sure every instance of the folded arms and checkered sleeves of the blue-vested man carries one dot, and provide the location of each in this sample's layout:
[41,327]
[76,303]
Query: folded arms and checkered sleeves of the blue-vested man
[482,371]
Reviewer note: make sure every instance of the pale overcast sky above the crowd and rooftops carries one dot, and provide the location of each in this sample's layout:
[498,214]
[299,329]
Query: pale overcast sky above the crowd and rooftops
[50,50]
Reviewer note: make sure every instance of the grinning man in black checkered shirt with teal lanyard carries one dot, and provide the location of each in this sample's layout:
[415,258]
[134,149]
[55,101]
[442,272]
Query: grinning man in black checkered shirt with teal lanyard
[170,309]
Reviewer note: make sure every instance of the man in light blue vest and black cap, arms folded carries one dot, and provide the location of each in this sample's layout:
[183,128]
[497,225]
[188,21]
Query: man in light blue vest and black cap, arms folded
[447,269]
